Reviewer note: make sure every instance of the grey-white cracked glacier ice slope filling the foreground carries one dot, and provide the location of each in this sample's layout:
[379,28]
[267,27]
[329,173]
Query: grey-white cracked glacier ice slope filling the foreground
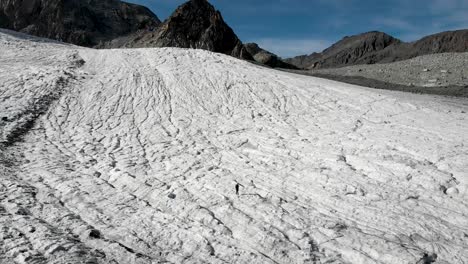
[132,156]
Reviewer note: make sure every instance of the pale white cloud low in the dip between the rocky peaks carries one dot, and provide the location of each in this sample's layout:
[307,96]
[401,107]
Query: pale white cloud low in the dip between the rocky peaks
[286,48]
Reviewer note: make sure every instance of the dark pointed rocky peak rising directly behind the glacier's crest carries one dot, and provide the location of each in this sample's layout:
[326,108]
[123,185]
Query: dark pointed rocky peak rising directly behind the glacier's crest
[195,24]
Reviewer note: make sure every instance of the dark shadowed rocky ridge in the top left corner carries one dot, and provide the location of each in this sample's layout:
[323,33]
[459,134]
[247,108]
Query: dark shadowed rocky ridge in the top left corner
[81,22]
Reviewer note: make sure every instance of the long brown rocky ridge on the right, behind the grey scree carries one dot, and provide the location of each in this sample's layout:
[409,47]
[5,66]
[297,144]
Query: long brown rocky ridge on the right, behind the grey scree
[377,47]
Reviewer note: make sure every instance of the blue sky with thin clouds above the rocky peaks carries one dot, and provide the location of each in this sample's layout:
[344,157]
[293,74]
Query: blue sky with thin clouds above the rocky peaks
[296,27]
